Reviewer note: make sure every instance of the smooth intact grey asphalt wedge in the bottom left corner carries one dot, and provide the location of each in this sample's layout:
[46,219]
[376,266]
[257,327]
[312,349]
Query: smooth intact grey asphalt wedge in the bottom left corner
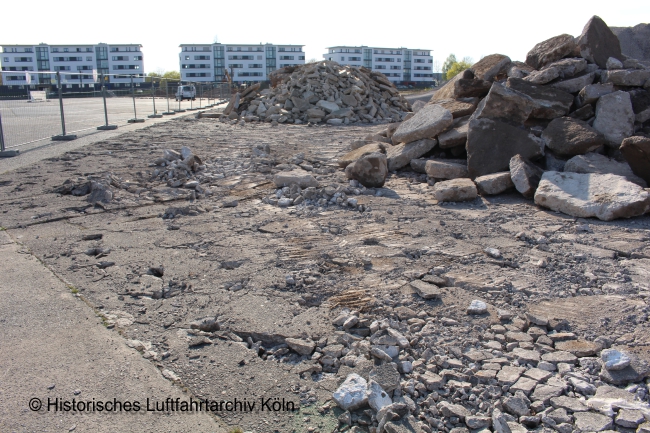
[54,346]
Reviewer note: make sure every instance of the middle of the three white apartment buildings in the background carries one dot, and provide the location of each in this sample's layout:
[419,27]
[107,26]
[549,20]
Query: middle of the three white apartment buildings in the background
[244,63]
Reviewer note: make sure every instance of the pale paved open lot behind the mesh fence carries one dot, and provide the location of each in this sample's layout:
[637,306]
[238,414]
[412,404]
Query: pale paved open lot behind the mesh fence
[26,122]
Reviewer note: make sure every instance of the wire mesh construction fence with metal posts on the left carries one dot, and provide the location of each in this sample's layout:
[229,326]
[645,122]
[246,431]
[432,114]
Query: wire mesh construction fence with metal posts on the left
[62,105]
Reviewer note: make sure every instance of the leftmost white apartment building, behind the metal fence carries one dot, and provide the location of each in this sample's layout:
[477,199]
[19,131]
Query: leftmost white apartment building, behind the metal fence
[118,62]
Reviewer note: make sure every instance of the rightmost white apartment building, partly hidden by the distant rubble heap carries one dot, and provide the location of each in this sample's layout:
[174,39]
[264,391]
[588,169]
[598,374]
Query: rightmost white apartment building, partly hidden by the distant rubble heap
[398,64]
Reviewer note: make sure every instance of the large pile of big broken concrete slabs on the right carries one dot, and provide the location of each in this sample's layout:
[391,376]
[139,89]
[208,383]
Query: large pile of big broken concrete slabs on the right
[569,128]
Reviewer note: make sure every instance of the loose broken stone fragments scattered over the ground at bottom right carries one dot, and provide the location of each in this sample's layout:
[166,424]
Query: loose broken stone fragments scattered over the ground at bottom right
[529,372]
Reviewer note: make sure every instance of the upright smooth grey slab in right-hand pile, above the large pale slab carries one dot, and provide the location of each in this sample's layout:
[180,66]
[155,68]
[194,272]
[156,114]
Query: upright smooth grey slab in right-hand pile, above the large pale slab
[615,117]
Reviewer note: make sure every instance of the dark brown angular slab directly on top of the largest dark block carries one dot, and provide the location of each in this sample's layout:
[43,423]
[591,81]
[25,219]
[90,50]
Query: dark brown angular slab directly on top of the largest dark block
[505,104]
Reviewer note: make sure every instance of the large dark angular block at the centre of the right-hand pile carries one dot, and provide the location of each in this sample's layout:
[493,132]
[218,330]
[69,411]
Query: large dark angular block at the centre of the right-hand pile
[491,144]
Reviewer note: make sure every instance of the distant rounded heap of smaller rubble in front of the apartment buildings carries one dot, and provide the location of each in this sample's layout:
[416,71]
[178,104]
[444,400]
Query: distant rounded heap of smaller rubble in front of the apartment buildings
[321,92]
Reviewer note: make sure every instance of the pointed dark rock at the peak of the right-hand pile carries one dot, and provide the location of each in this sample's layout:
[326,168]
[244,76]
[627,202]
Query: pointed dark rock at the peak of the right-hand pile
[597,43]
